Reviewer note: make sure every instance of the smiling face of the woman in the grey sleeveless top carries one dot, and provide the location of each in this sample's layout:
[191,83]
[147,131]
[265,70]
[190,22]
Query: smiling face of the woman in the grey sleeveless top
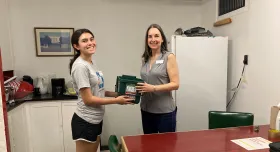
[154,39]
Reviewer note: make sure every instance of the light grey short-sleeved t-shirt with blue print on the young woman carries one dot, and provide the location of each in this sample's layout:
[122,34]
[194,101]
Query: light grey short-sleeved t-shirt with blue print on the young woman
[87,75]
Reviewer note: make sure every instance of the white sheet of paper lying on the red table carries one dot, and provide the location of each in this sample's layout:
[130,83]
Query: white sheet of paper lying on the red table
[252,143]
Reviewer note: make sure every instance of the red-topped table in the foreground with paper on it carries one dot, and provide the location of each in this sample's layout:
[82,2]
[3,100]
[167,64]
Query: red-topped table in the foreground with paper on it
[216,140]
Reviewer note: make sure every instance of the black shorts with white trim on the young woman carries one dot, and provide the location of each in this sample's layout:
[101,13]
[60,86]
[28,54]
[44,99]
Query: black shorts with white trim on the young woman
[83,130]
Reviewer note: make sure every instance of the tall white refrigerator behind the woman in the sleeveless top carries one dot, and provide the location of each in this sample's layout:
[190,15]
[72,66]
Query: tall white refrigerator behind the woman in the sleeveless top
[202,63]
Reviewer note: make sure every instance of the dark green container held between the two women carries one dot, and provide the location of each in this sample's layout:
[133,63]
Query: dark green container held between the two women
[125,85]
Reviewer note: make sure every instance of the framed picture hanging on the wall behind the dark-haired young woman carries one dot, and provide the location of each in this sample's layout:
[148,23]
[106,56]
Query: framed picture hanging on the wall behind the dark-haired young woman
[53,41]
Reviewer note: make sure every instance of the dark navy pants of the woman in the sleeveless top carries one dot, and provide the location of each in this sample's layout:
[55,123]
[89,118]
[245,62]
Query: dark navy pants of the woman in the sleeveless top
[158,123]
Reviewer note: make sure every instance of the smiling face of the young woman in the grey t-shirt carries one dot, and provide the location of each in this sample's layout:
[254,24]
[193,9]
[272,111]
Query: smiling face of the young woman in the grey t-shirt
[86,44]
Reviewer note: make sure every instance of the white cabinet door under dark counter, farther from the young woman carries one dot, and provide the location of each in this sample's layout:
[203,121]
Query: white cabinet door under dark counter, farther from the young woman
[45,128]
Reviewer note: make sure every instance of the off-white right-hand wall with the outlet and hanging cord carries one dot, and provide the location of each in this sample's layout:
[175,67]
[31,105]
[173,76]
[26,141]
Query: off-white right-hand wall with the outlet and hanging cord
[254,32]
